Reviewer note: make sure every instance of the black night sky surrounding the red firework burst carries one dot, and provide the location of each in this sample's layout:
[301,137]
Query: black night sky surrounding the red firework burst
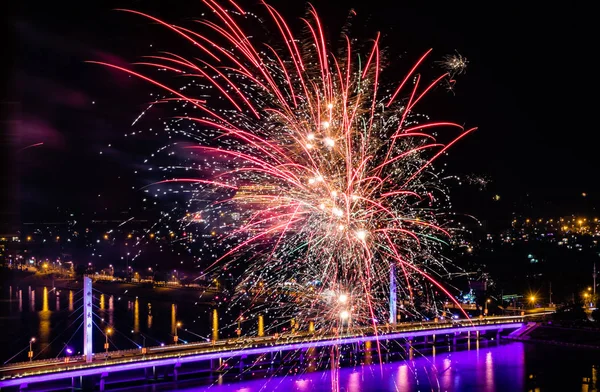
[529,87]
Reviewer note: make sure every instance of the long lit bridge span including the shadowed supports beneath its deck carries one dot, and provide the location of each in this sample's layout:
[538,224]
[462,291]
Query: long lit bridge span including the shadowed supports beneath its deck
[100,370]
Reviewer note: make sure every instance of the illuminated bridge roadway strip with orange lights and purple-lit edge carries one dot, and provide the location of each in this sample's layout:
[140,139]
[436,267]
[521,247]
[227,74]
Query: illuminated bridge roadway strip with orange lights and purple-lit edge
[118,361]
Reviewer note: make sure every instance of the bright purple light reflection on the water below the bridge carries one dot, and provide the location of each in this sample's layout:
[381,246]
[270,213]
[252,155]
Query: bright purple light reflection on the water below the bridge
[489,369]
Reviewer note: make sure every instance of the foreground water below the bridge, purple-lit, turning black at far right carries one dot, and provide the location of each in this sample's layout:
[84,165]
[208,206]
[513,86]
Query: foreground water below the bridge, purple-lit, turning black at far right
[514,367]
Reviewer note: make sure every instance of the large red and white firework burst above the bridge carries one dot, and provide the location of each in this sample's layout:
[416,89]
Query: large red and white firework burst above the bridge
[330,174]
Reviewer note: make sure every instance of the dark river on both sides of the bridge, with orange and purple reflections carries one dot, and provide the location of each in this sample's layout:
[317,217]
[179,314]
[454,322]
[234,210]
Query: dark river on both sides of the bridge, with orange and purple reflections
[53,317]
